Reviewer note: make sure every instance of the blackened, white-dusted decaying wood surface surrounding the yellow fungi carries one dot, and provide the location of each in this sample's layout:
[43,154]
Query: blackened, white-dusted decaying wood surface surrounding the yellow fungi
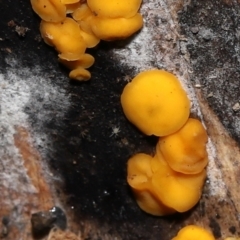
[57,146]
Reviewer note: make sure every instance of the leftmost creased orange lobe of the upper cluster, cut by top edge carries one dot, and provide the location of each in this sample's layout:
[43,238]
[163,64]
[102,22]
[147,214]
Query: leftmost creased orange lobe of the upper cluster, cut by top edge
[49,10]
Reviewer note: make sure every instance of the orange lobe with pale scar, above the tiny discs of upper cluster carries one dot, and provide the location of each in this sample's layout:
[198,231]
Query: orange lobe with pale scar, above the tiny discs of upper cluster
[65,37]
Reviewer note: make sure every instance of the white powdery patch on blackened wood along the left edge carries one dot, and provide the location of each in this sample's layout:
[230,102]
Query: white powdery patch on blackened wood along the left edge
[18,86]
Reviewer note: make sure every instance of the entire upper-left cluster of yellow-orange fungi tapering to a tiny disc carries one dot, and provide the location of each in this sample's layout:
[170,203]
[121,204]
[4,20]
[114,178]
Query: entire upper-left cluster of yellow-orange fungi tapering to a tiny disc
[91,22]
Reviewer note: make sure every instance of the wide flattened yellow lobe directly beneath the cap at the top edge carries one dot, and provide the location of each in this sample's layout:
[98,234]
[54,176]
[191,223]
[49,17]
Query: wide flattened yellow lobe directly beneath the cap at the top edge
[109,29]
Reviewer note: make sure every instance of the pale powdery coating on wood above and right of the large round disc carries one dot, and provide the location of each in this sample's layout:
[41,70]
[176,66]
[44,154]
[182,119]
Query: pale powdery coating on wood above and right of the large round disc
[159,45]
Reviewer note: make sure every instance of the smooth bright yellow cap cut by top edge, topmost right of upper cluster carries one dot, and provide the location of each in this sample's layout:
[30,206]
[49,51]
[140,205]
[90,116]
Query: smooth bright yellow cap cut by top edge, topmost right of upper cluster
[114,8]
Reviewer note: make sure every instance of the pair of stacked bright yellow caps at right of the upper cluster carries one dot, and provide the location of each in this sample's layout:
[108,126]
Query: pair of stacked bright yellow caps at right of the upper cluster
[115,19]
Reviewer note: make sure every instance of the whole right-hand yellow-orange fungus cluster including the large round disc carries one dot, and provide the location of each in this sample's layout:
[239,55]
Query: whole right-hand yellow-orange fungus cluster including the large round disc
[173,179]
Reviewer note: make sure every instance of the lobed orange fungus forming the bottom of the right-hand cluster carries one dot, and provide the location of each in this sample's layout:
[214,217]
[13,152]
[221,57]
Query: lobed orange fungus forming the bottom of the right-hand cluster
[158,189]
